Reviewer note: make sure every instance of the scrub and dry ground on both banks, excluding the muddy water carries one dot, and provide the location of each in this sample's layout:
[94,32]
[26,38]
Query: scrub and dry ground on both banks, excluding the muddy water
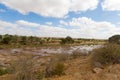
[99,64]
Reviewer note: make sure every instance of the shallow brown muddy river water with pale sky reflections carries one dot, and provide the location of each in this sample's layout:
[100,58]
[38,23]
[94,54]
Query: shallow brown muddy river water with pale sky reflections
[49,50]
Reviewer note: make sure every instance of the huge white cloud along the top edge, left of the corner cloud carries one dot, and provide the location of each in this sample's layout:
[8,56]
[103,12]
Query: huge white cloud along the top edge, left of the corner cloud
[50,8]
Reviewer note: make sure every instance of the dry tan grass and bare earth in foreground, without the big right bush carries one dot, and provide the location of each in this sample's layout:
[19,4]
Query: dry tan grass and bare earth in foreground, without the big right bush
[77,68]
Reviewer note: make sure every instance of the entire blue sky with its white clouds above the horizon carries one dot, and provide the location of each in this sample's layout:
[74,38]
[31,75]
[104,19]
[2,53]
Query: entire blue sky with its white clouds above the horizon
[51,18]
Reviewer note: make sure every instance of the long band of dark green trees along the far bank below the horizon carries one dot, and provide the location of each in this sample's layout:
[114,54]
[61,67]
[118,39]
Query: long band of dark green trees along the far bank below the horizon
[33,40]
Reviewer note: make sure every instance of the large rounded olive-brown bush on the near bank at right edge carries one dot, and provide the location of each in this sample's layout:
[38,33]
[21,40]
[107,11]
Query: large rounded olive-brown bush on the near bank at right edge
[109,54]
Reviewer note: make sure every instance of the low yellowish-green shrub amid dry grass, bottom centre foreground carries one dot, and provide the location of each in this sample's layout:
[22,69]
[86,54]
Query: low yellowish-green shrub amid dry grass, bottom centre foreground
[56,65]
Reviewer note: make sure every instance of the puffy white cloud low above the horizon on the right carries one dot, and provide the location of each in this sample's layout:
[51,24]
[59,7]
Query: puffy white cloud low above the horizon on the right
[90,28]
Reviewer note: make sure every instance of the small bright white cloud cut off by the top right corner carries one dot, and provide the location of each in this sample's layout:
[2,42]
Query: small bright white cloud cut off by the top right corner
[111,5]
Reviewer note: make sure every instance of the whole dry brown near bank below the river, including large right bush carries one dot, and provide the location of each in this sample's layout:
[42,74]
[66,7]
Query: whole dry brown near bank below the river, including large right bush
[100,64]
